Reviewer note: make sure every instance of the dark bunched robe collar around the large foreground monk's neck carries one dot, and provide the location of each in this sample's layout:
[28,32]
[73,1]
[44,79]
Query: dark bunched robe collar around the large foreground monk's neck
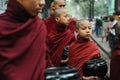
[16,11]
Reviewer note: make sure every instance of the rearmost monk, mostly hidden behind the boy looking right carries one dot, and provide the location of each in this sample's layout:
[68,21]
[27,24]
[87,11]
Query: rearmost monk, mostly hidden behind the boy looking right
[50,21]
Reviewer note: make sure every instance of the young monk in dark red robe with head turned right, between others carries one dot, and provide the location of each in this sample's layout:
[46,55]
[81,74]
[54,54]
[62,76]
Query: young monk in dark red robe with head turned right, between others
[60,36]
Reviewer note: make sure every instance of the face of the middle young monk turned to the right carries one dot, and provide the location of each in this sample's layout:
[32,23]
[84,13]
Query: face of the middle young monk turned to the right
[63,18]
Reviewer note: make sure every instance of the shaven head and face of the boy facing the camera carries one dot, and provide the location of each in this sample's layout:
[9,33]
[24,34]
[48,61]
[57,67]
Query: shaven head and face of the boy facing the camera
[85,30]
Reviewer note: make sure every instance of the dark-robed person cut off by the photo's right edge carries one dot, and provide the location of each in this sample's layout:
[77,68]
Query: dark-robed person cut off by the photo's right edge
[115,57]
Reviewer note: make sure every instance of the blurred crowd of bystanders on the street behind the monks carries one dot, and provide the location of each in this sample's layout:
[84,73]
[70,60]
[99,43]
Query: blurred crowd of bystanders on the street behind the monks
[104,28]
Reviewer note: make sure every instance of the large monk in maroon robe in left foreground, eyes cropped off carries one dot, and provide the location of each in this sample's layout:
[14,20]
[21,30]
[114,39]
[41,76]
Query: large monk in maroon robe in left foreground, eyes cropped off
[22,41]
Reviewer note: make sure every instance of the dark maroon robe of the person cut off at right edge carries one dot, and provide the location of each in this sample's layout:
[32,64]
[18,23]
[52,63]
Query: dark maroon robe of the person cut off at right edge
[115,63]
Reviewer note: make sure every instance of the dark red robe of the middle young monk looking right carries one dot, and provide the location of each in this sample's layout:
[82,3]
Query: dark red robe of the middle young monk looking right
[59,37]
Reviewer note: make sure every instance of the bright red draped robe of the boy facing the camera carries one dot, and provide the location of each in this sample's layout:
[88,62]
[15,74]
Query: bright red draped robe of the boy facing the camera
[81,51]
